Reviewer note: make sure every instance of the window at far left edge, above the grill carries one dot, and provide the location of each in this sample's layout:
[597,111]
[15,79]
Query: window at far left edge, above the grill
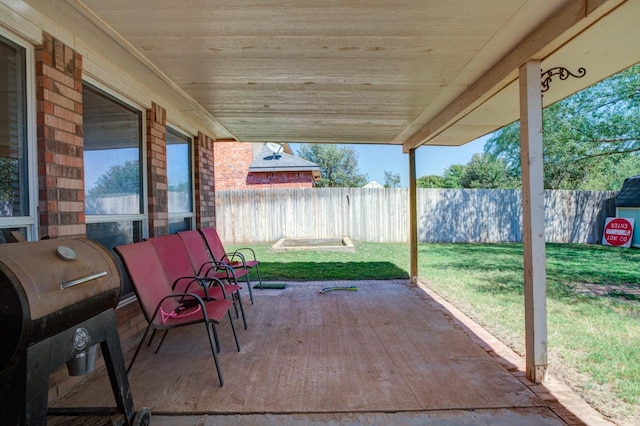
[16,186]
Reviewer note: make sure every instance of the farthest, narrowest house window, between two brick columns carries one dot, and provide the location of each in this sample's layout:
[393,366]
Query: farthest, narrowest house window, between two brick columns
[179,172]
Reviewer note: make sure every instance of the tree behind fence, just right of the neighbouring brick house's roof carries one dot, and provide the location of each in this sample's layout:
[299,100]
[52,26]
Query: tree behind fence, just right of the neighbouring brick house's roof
[338,164]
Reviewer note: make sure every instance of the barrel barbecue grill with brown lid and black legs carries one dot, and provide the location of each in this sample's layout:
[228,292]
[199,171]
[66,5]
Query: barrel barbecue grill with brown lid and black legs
[57,300]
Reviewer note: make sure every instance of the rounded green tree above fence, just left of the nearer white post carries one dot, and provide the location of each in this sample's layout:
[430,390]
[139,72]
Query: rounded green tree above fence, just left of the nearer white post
[486,171]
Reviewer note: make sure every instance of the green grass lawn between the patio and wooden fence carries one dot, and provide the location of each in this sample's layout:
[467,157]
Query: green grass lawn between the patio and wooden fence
[592,302]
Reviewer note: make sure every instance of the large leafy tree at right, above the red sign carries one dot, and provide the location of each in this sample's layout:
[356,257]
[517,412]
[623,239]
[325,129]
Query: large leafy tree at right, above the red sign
[586,138]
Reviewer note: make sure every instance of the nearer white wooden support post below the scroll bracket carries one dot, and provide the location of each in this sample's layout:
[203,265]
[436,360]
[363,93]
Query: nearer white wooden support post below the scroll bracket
[535,292]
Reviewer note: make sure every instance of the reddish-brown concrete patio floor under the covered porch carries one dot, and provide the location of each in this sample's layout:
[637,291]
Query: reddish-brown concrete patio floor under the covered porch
[388,353]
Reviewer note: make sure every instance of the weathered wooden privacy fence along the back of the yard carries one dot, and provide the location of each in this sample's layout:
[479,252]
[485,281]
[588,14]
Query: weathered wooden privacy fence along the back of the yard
[382,215]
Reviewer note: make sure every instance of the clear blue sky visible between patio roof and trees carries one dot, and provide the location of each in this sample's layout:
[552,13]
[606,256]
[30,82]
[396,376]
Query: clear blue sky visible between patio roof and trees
[373,160]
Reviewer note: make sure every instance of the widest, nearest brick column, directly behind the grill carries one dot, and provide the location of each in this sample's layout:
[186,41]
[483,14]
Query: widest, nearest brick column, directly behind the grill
[60,142]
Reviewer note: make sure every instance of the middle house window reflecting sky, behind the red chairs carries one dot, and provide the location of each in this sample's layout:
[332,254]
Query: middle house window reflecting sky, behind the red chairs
[113,171]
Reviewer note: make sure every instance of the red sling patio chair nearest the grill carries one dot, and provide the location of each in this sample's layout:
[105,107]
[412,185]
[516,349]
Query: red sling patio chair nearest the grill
[164,309]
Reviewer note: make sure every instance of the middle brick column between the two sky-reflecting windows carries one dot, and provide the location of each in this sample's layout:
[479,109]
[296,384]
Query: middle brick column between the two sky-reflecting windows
[157,171]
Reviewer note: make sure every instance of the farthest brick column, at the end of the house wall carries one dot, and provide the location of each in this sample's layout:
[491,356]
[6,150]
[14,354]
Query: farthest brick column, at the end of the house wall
[204,182]
